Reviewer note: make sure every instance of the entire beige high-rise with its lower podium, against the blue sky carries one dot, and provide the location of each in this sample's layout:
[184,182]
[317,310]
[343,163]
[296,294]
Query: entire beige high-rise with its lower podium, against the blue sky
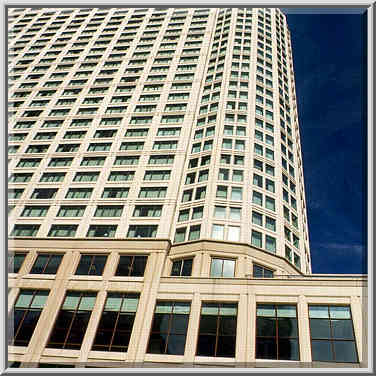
[159,124]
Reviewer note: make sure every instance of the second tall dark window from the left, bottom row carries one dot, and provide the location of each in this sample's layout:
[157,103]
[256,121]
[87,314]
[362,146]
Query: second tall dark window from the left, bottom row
[72,321]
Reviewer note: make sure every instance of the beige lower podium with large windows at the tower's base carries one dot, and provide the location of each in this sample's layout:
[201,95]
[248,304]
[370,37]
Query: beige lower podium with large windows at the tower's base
[147,303]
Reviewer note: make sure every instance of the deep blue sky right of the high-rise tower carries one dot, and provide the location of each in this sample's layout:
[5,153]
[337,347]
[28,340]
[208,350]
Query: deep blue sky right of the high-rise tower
[329,66]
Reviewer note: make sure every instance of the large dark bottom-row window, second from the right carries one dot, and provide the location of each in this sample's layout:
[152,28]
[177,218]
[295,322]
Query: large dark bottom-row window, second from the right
[277,332]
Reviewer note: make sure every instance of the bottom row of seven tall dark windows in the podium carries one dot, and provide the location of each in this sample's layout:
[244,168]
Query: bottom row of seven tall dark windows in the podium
[277,335]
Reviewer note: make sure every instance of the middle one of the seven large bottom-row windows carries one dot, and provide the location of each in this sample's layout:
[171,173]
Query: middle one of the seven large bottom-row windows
[169,328]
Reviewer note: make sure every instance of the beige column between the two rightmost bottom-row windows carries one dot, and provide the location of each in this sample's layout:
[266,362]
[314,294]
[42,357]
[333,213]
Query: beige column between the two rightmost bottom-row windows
[303,330]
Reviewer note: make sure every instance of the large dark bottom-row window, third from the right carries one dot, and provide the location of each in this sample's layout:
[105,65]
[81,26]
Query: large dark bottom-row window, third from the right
[217,331]
